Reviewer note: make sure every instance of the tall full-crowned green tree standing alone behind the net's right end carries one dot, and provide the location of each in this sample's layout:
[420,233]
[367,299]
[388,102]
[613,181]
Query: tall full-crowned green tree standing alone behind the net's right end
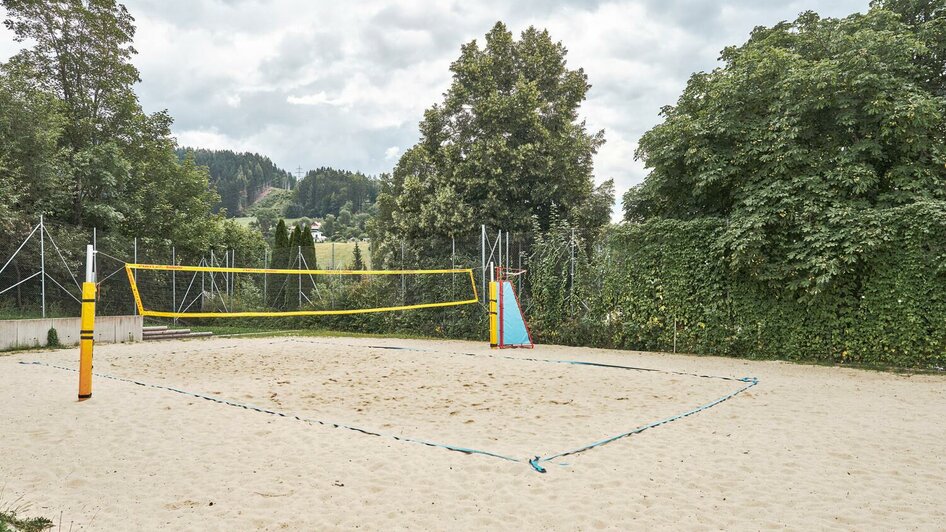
[505,145]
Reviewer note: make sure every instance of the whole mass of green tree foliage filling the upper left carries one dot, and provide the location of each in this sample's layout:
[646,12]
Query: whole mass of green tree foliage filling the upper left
[74,142]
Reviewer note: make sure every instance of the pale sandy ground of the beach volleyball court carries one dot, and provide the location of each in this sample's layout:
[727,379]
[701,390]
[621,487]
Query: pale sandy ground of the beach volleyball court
[808,448]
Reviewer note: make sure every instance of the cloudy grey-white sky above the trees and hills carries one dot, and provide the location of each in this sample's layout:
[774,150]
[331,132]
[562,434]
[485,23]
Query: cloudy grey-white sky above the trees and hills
[345,84]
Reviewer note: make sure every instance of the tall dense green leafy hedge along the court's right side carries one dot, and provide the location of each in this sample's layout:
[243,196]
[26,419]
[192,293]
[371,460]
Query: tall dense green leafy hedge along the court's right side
[887,308]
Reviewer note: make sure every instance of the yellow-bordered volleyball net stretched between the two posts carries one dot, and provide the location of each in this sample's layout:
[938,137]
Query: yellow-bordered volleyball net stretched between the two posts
[171,291]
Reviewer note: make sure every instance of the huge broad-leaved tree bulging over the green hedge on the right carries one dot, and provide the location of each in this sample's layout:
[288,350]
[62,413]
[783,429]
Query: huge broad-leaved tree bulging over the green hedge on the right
[799,142]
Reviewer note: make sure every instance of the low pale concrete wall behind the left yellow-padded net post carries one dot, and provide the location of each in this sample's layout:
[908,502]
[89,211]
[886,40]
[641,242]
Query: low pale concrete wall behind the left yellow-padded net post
[32,333]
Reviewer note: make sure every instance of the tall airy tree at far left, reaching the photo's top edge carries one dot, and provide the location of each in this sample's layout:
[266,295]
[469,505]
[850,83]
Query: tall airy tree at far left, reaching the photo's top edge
[81,52]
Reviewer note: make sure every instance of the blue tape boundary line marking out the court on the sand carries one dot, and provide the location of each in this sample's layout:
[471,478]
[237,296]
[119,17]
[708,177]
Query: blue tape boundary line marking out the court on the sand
[534,462]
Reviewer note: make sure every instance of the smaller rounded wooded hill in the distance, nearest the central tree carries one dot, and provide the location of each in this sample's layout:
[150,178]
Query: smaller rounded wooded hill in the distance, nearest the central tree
[326,191]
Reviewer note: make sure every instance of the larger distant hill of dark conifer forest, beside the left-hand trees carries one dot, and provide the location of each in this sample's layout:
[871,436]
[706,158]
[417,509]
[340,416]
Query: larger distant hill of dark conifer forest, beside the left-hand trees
[239,178]
